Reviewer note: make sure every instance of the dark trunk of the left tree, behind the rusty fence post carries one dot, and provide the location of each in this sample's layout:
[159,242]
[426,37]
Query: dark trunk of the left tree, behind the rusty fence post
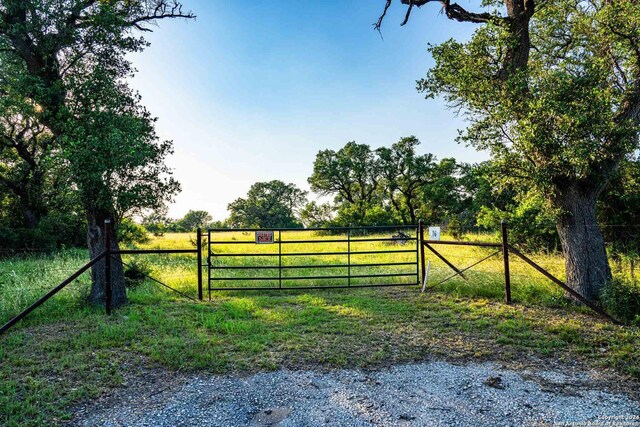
[95,241]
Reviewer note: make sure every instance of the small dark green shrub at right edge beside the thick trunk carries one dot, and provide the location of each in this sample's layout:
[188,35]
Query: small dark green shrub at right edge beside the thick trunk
[622,300]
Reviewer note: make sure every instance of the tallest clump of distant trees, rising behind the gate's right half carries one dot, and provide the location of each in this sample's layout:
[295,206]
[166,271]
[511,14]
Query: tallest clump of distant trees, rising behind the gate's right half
[390,185]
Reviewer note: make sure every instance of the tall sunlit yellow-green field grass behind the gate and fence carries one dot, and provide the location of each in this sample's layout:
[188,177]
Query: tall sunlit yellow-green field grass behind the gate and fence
[23,279]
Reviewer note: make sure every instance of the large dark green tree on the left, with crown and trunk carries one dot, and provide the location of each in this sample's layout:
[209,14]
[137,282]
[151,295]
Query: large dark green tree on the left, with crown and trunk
[66,60]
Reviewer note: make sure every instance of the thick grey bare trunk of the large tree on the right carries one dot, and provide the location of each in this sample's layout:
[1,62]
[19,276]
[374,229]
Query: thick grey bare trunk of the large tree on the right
[586,262]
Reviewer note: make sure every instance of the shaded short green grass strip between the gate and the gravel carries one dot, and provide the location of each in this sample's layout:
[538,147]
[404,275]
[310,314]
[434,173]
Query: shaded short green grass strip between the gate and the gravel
[61,357]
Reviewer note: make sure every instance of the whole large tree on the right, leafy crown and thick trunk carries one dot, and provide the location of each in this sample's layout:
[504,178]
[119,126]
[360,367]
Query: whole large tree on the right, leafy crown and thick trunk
[552,89]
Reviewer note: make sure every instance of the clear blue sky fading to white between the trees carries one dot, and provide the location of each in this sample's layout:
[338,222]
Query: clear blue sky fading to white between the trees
[251,91]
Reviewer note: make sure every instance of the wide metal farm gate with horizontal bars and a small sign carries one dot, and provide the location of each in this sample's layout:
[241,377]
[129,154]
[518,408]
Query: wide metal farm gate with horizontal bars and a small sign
[312,258]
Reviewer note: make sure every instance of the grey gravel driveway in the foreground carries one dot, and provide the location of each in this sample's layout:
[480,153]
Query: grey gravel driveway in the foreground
[426,394]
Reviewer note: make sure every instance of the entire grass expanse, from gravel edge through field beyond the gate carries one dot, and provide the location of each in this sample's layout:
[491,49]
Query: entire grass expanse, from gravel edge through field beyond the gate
[66,352]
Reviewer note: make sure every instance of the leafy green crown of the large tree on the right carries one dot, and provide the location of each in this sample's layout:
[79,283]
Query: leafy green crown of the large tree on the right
[563,116]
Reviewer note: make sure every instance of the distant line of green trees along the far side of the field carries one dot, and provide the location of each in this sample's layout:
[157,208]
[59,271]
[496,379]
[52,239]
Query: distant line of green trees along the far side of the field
[396,185]
